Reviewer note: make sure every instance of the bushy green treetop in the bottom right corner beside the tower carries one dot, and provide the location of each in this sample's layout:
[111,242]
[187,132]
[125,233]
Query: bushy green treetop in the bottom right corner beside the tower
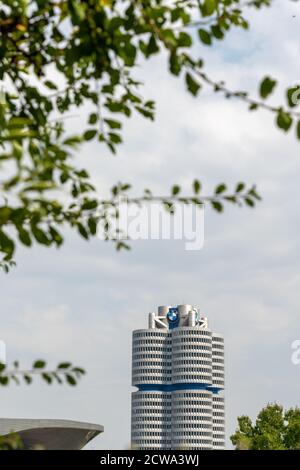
[274,429]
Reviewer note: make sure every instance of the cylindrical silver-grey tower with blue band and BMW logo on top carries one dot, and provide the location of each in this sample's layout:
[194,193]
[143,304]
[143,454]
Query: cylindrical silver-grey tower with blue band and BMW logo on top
[178,369]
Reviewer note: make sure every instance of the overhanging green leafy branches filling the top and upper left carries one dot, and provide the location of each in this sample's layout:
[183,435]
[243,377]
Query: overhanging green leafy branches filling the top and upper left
[60,56]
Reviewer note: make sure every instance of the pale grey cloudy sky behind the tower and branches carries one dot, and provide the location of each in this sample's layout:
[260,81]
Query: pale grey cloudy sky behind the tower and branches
[81,302]
